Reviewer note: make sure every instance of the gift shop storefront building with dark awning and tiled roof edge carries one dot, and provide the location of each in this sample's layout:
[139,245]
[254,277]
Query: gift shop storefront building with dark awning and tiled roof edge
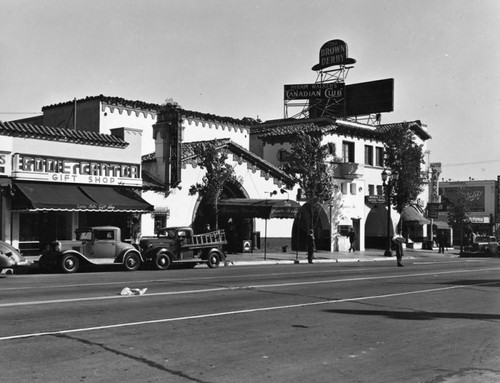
[54,180]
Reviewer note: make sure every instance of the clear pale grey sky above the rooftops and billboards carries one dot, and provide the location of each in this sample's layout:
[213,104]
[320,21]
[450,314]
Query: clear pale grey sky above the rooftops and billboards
[233,57]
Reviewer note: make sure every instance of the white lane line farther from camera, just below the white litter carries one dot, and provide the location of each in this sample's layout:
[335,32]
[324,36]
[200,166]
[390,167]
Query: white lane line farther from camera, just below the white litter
[238,287]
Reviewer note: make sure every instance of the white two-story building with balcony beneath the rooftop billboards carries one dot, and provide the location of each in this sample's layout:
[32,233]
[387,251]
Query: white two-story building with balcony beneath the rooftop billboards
[357,155]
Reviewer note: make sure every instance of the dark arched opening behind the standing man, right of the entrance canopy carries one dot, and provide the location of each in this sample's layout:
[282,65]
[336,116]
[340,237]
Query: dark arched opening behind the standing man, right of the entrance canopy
[302,225]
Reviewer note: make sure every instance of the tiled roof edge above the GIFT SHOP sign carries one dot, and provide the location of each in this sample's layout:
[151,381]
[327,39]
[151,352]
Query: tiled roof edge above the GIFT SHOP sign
[16,129]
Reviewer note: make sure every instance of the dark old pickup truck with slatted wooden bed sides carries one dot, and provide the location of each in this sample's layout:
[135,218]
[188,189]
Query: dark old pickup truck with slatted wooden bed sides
[181,245]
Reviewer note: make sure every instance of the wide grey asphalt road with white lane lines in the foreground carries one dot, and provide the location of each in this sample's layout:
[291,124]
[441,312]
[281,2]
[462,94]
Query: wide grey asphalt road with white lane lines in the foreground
[431,321]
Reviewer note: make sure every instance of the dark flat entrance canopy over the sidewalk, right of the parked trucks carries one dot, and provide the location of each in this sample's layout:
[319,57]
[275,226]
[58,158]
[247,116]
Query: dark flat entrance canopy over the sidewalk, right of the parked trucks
[258,208]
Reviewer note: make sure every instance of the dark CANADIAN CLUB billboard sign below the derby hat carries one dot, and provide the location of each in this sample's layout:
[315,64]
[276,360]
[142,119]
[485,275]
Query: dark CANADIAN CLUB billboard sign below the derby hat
[328,91]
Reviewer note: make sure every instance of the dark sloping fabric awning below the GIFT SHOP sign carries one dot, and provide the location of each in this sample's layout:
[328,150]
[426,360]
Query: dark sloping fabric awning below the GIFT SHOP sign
[34,196]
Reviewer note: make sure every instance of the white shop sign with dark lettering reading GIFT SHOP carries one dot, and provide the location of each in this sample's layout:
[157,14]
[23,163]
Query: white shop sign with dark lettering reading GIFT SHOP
[70,170]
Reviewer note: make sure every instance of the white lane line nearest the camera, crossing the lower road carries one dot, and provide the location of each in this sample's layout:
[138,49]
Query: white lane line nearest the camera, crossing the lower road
[236,312]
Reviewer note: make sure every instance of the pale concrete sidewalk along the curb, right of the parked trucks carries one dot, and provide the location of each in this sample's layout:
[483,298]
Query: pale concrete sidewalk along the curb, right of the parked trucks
[368,255]
